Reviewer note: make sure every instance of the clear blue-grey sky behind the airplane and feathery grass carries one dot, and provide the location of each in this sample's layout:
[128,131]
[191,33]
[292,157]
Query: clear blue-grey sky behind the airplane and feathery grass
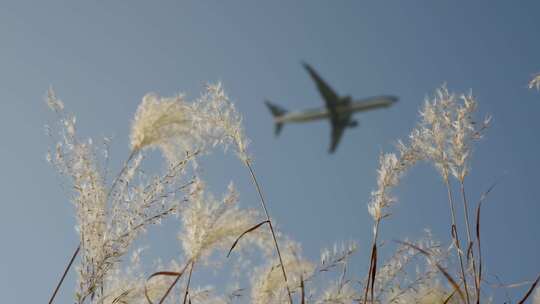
[103,56]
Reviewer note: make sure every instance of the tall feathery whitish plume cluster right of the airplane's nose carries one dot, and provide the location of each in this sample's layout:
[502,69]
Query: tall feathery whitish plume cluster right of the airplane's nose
[444,137]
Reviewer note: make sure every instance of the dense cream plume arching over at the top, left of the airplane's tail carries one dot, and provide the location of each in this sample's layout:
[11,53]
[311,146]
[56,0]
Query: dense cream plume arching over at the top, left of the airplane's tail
[175,126]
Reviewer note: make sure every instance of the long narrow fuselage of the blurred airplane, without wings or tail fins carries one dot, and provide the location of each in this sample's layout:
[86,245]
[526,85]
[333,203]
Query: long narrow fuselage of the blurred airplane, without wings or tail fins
[323,112]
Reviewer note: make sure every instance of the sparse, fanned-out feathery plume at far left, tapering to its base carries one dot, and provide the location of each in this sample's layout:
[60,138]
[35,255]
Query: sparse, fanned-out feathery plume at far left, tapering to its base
[108,220]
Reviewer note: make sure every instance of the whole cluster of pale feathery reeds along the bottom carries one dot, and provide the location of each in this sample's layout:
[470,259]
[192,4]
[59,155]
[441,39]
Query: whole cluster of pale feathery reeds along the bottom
[113,212]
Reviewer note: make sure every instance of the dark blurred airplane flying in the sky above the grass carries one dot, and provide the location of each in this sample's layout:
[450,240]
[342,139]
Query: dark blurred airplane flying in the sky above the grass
[338,110]
